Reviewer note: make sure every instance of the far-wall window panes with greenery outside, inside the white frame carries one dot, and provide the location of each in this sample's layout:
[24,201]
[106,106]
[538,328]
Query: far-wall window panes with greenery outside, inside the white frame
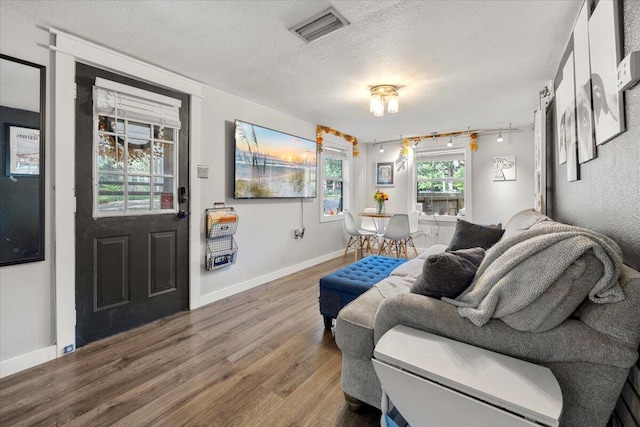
[440,179]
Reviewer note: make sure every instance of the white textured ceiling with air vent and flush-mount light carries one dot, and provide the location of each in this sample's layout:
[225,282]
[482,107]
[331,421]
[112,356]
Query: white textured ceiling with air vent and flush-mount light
[460,64]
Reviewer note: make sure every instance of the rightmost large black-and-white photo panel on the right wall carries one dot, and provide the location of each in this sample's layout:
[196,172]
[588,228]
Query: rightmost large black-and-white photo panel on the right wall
[605,53]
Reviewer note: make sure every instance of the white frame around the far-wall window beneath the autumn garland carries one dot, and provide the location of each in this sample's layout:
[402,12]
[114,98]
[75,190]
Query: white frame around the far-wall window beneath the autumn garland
[461,145]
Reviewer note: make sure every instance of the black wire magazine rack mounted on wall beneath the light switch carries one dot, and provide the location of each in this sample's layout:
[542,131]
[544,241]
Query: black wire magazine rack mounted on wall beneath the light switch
[221,249]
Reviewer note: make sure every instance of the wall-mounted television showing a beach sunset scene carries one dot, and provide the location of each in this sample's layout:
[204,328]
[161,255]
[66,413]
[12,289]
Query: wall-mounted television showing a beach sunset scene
[272,165]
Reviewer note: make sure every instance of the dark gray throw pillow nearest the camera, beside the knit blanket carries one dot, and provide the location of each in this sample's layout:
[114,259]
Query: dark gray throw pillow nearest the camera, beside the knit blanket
[447,274]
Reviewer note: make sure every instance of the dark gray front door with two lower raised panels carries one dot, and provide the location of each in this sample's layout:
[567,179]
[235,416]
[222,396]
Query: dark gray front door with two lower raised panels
[133,269]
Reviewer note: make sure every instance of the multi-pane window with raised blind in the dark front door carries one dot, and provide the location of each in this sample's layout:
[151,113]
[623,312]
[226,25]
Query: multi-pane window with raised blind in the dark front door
[135,150]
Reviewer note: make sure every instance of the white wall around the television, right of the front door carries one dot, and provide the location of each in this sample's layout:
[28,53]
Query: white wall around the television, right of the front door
[265,237]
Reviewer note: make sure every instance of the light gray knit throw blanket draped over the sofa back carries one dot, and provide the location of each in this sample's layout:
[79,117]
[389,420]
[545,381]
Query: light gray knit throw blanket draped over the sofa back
[519,268]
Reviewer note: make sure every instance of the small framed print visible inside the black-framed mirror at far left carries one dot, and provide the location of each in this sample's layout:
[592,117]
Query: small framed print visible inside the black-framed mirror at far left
[23,151]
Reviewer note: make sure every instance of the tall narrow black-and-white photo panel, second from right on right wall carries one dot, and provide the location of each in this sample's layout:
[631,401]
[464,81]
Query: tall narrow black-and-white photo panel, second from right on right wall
[584,112]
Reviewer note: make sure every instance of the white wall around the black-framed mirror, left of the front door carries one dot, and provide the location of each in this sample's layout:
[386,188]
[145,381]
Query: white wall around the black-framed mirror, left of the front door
[26,291]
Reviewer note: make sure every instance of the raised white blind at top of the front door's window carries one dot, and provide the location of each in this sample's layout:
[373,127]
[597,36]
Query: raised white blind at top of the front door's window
[116,99]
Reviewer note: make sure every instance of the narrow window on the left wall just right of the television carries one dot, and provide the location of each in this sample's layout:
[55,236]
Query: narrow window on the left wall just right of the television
[335,178]
